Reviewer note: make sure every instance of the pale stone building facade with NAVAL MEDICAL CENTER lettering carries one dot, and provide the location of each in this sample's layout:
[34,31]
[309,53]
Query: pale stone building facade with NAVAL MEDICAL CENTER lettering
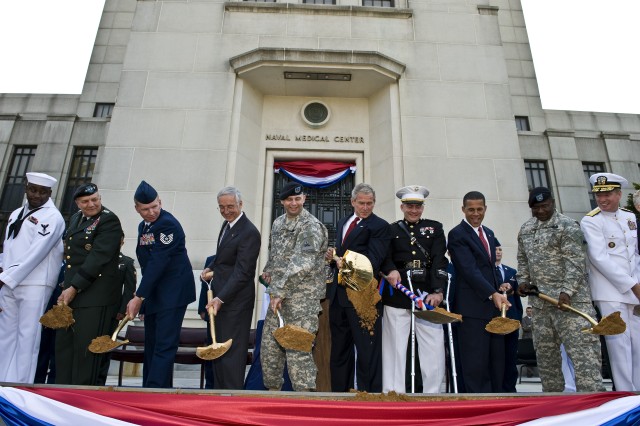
[194,95]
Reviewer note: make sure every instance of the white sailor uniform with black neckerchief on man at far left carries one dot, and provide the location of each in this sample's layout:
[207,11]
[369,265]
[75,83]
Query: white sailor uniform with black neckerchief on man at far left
[31,263]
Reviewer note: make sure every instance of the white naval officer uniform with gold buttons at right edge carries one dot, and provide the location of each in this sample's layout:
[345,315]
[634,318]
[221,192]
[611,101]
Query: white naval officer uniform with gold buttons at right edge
[614,267]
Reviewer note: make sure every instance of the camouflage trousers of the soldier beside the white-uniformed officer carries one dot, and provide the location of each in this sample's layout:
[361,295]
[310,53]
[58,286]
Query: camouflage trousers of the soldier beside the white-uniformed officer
[551,327]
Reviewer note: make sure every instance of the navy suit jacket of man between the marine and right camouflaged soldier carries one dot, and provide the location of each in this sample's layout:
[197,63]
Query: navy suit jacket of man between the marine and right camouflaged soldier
[476,277]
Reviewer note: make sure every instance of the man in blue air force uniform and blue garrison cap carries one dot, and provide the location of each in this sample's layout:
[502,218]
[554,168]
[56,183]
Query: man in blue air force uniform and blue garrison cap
[167,286]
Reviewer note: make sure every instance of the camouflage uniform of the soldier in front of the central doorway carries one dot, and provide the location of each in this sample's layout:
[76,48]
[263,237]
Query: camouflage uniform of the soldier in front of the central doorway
[297,268]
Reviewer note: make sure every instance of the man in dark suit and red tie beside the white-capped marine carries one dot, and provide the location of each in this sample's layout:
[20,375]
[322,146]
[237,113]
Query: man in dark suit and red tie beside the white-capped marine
[365,233]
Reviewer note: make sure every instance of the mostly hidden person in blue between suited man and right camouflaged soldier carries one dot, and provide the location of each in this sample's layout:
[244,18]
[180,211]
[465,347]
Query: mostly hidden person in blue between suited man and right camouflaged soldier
[508,275]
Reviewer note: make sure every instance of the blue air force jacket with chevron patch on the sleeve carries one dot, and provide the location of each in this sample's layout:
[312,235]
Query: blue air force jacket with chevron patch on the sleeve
[167,277]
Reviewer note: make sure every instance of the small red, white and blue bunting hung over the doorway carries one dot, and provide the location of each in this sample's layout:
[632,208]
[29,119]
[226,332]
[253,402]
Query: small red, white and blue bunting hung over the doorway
[315,173]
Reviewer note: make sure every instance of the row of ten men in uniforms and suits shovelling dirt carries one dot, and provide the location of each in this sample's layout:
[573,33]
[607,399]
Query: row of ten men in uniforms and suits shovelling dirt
[579,264]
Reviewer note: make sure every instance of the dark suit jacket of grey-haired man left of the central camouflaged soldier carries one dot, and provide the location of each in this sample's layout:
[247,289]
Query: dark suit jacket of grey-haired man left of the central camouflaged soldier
[234,266]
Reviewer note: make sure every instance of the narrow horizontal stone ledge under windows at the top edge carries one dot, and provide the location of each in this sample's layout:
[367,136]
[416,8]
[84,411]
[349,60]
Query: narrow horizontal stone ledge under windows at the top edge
[315,9]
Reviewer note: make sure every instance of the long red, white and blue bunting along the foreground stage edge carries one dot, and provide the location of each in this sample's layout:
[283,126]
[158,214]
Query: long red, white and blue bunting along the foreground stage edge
[71,406]
